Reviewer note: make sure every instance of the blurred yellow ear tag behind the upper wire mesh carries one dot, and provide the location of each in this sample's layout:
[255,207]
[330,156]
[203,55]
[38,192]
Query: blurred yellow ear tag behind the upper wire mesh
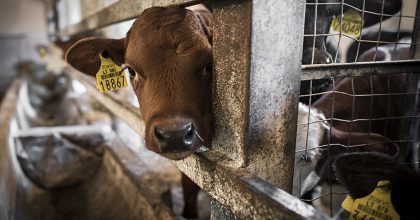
[352,23]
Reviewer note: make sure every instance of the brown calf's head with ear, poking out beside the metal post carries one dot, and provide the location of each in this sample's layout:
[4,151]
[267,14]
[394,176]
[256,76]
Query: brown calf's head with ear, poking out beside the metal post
[168,55]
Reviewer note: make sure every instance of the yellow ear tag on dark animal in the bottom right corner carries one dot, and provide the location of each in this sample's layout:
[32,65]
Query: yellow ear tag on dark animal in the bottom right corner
[375,206]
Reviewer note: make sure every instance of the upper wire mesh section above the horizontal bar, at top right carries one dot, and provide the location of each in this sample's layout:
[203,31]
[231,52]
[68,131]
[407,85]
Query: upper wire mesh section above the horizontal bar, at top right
[338,31]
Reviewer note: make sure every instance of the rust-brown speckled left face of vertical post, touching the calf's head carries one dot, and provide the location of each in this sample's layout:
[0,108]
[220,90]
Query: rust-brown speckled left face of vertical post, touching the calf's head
[231,45]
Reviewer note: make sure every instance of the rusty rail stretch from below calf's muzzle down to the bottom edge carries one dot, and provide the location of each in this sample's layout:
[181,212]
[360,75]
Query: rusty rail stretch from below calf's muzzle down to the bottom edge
[247,196]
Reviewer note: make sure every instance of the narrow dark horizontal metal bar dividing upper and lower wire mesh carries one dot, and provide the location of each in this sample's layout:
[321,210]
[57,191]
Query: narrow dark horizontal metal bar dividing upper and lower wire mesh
[321,71]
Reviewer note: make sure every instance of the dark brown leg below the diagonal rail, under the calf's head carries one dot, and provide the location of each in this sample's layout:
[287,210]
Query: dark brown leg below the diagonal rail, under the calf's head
[190,191]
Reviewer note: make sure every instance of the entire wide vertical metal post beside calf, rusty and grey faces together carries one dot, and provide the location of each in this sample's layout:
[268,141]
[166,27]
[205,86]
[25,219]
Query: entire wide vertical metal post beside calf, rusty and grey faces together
[257,47]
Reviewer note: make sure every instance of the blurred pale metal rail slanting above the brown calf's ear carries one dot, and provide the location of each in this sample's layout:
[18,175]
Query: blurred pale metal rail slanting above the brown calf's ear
[122,10]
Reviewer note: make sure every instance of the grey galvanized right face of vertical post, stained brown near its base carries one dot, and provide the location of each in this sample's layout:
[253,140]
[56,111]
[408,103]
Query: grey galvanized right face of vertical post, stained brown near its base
[276,54]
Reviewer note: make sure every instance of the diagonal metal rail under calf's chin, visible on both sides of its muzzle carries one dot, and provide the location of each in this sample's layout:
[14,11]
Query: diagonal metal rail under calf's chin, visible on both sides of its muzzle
[248,195]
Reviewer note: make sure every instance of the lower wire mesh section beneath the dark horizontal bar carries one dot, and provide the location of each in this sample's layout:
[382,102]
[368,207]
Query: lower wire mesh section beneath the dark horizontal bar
[377,113]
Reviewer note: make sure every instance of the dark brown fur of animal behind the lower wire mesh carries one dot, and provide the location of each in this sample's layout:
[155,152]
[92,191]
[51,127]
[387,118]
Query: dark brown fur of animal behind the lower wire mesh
[366,85]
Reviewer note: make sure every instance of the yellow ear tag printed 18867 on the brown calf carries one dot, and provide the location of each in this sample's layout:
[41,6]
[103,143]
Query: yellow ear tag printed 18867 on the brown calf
[110,76]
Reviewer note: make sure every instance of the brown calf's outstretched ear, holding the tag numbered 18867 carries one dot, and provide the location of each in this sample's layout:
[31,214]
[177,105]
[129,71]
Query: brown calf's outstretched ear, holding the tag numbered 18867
[84,55]
